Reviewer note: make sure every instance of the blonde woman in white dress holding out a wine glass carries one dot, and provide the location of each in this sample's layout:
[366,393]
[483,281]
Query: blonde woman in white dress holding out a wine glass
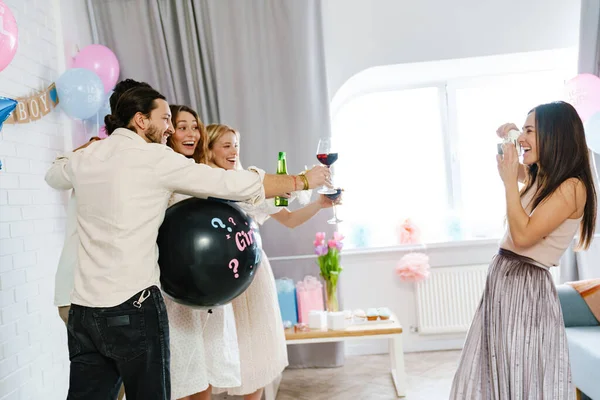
[260,333]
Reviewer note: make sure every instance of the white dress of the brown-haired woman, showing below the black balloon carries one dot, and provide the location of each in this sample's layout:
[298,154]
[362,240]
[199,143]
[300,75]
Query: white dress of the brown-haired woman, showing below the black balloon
[204,347]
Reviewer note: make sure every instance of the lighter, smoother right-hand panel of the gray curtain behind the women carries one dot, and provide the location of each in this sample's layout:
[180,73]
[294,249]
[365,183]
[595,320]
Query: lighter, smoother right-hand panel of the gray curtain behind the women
[272,86]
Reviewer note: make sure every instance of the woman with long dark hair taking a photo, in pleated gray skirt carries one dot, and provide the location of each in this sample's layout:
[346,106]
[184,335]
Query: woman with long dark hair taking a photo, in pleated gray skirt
[517,347]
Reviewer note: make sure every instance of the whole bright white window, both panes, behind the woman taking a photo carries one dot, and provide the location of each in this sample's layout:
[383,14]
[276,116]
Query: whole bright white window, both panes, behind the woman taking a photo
[426,150]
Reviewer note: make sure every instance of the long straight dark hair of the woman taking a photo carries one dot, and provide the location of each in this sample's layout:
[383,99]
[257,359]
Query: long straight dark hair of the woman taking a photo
[563,154]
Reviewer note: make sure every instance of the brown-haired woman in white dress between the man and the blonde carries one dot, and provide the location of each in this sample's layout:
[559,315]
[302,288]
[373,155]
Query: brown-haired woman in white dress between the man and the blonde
[204,349]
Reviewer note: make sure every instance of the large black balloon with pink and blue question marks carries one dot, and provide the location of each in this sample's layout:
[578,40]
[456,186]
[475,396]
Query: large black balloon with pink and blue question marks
[209,251]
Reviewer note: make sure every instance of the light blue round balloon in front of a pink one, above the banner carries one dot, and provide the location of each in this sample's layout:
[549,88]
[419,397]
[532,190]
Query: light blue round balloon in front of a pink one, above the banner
[80,92]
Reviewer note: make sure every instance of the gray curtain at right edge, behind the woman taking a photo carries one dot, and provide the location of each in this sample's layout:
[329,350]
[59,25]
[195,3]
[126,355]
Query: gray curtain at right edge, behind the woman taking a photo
[585,265]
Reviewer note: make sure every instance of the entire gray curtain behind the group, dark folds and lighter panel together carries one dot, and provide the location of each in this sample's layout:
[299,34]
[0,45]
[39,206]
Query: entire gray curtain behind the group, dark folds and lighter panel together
[256,65]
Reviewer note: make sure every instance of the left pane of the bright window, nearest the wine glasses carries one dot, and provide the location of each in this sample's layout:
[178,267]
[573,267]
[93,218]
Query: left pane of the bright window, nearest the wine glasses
[394,133]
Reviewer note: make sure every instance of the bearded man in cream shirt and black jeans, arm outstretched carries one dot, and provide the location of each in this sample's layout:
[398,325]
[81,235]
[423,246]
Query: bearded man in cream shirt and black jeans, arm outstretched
[118,327]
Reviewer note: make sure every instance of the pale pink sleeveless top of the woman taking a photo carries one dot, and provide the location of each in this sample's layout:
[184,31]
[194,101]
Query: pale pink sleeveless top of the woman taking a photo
[550,249]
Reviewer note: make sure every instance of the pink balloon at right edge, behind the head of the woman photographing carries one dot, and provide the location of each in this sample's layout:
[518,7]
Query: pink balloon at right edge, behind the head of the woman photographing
[583,93]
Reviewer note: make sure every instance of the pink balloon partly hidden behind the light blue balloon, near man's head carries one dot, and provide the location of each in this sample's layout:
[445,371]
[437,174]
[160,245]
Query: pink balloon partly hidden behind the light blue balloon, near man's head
[102,61]
